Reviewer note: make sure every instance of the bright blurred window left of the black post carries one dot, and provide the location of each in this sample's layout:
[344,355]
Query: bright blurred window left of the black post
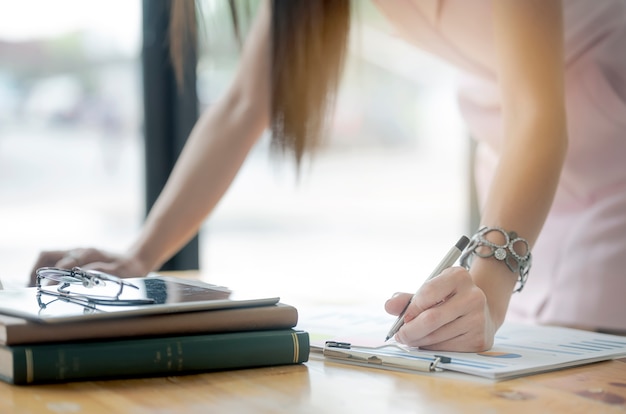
[71,147]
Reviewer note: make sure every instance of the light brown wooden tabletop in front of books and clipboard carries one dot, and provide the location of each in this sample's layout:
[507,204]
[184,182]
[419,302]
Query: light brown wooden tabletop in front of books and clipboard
[320,386]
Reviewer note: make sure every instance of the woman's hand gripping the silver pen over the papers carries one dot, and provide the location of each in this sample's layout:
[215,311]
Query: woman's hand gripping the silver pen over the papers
[448,313]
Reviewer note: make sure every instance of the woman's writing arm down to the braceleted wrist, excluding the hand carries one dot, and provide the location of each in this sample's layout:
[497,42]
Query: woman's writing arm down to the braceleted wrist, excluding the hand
[530,66]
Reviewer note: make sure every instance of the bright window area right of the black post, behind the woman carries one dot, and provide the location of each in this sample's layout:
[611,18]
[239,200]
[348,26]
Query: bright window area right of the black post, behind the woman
[375,210]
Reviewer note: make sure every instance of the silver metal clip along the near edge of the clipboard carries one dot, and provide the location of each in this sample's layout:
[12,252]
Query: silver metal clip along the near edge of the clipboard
[344,352]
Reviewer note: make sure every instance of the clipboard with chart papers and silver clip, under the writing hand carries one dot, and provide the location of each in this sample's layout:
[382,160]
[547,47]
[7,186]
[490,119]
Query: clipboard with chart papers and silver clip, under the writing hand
[518,350]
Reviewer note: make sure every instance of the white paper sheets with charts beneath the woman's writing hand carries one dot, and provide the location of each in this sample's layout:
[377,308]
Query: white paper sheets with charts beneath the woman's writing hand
[518,350]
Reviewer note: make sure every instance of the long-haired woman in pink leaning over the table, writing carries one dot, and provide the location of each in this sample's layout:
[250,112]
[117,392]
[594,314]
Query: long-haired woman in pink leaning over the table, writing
[532,69]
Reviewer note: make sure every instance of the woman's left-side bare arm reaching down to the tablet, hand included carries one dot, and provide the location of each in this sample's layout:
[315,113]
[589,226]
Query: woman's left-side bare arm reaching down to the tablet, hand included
[214,152]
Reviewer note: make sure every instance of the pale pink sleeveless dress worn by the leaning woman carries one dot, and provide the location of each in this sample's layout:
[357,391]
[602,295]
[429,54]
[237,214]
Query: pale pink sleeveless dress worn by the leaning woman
[579,265]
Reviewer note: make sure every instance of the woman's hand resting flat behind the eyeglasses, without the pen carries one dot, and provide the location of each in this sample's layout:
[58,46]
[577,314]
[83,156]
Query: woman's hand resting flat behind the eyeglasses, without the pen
[92,259]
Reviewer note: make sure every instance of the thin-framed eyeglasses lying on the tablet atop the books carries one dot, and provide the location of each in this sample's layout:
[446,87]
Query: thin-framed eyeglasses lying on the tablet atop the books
[77,277]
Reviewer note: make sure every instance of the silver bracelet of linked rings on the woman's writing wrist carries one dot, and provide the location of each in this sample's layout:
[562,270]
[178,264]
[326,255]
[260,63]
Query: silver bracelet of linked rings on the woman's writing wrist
[508,252]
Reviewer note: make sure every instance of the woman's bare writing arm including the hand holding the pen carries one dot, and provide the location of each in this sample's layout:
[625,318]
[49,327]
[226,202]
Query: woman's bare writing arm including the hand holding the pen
[461,310]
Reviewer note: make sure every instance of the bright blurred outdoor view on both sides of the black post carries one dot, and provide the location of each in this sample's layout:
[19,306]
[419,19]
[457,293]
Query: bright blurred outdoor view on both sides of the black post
[371,214]
